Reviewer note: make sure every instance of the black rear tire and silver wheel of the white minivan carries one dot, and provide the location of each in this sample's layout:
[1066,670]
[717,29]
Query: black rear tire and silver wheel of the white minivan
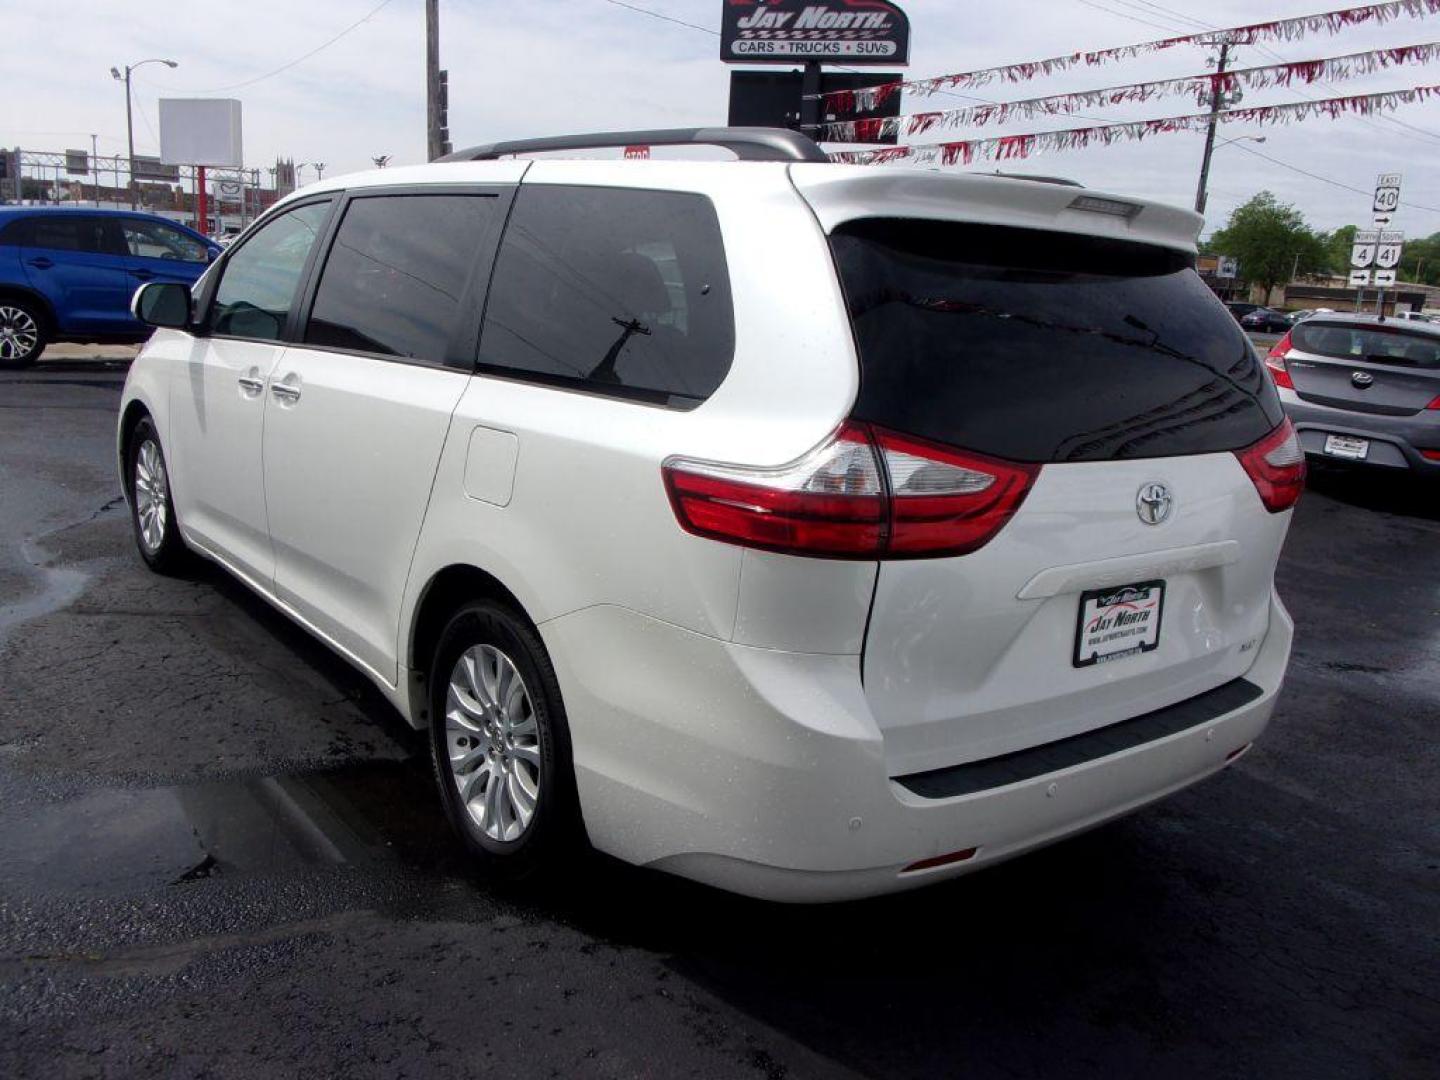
[492,762]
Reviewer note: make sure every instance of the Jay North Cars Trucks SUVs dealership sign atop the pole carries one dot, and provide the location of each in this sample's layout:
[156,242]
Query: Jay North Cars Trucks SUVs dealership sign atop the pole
[790,31]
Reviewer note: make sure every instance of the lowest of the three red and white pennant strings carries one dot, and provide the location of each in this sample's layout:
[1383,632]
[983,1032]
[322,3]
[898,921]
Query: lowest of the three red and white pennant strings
[1009,148]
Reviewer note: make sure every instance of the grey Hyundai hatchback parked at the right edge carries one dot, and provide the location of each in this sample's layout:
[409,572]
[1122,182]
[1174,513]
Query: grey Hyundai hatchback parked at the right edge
[1363,390]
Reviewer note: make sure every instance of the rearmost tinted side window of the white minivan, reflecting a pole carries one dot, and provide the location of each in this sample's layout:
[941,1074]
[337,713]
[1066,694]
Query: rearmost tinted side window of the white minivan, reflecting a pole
[611,290]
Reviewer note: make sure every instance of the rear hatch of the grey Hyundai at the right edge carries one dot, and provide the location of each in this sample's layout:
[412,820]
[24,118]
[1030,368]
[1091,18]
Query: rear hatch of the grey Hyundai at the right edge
[1387,369]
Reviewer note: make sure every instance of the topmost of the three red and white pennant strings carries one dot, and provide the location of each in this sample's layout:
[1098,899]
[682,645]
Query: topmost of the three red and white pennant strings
[1274,31]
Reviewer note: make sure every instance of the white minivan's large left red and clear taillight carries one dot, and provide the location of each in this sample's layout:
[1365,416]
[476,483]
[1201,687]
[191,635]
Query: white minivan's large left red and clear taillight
[862,495]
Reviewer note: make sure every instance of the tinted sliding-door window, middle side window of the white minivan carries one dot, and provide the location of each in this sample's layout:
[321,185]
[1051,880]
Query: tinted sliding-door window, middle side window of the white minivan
[397,273]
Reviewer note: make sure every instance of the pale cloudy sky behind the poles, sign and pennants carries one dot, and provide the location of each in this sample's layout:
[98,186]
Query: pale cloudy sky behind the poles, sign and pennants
[551,67]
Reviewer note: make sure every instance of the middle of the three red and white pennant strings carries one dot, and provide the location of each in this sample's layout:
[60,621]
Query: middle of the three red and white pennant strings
[1200,87]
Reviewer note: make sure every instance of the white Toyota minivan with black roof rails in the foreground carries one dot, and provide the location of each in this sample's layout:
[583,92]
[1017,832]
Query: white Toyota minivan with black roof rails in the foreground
[798,528]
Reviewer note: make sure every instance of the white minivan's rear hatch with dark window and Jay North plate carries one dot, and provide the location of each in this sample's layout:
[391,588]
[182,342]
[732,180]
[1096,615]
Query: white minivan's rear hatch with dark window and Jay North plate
[1114,368]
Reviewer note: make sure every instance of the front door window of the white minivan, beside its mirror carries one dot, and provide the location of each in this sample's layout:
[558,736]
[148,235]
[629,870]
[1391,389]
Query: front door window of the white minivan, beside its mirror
[260,280]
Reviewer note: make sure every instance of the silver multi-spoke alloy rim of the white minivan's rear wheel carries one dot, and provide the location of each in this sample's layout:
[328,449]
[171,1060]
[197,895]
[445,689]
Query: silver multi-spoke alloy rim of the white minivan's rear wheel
[493,742]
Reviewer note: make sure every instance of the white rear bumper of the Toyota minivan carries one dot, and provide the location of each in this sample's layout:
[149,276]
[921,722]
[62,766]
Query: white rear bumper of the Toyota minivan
[764,773]
